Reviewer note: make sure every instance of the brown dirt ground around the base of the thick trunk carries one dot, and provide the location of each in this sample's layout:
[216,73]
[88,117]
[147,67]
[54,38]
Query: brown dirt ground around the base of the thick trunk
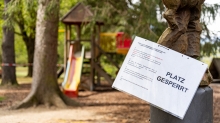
[101,106]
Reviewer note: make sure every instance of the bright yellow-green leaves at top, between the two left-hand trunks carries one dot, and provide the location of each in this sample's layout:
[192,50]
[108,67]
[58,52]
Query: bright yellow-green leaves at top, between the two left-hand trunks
[22,13]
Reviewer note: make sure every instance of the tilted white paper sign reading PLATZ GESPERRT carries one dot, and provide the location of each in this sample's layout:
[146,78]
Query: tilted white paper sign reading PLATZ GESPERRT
[160,76]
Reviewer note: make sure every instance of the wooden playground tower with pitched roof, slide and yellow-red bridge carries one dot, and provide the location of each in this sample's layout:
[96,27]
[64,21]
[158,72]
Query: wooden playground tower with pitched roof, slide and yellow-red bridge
[78,58]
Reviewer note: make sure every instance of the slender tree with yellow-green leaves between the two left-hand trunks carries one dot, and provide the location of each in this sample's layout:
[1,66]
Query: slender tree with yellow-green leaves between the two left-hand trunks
[23,13]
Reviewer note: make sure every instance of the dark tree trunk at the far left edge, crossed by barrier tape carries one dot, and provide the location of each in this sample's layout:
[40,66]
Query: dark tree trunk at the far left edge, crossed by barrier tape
[8,54]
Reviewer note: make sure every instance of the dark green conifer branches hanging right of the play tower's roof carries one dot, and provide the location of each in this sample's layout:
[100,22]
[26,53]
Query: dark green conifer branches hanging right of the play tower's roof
[136,19]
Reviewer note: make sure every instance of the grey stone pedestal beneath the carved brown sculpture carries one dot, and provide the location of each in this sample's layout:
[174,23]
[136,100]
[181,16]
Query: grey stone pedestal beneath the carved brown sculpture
[199,111]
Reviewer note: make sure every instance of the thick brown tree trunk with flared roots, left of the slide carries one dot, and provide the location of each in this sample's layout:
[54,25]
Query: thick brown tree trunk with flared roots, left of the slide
[45,89]
